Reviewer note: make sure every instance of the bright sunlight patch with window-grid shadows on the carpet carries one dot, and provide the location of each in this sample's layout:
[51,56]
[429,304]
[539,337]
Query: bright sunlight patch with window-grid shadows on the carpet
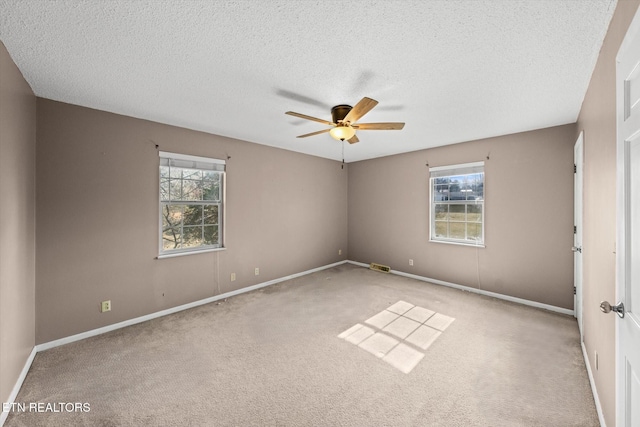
[397,334]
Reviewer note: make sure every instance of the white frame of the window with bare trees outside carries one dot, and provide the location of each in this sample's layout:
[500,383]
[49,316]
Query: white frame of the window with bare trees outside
[185,161]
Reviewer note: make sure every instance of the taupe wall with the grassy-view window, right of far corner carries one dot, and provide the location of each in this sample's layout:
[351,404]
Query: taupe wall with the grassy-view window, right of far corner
[528,224]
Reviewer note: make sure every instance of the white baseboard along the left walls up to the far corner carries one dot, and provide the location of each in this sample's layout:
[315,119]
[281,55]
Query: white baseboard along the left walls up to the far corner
[109,328]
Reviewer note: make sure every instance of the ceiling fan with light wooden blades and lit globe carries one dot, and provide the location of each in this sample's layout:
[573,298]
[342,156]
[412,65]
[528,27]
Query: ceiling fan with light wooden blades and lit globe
[344,118]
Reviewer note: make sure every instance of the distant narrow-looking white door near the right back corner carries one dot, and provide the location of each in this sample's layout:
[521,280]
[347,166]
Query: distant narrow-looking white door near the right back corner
[578,158]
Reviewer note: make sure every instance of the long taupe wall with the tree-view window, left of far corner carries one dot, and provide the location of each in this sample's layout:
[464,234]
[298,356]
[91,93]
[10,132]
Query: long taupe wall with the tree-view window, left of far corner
[97,192]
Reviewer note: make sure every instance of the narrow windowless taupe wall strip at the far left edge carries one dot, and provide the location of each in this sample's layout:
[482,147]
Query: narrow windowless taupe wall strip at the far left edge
[17,222]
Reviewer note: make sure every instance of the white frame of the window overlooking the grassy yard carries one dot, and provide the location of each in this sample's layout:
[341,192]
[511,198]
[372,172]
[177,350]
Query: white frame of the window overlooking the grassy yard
[450,171]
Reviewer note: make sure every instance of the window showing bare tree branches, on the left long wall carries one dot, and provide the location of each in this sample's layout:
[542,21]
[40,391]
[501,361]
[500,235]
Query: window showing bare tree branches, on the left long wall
[191,203]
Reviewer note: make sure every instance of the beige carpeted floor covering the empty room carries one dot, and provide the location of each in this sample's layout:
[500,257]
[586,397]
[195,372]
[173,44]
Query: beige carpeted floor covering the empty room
[273,357]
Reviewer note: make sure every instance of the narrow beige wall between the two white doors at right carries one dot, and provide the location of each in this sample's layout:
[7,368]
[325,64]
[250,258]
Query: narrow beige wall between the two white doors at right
[598,120]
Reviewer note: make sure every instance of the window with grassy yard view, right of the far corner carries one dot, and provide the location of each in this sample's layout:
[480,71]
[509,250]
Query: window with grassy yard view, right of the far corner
[457,203]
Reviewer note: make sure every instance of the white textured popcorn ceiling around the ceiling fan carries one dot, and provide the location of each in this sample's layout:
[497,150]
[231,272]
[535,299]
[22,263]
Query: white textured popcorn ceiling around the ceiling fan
[452,70]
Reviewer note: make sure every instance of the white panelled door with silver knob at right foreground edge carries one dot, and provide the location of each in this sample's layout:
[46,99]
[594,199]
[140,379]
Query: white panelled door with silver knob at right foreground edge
[628,229]
